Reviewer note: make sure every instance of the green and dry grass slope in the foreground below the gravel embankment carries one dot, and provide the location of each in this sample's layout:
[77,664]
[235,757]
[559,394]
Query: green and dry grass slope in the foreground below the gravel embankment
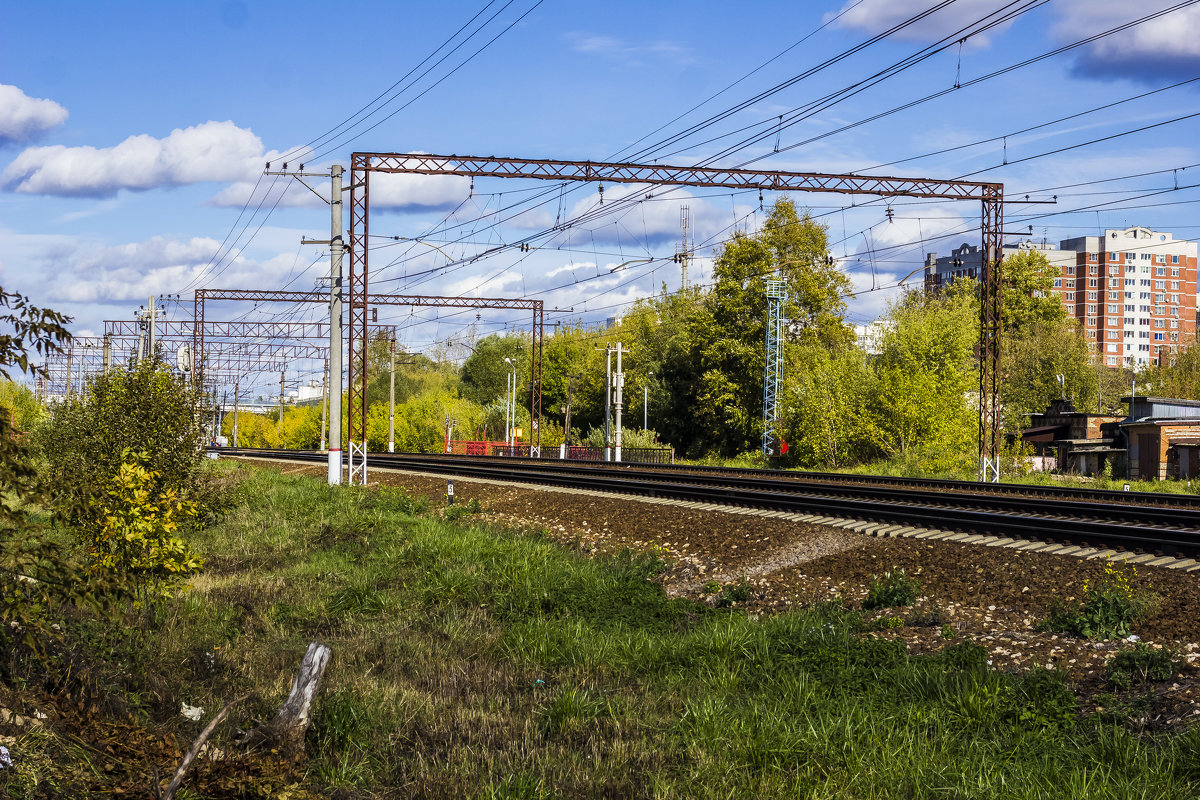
[478,663]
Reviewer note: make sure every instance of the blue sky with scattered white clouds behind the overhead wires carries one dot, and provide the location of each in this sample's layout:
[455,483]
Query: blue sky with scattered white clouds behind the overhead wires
[133,135]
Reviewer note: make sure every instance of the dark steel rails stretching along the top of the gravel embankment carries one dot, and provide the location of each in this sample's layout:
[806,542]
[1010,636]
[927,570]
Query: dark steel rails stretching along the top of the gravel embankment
[1108,526]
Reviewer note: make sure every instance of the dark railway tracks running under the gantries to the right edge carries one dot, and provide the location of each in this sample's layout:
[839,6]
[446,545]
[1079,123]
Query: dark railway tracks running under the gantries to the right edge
[1117,521]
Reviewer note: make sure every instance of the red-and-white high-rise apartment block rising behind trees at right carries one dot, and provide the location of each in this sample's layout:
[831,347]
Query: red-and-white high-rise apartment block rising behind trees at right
[1133,291]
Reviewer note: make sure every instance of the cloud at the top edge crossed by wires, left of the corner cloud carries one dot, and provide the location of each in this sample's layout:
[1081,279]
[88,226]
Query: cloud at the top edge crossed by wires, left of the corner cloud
[878,16]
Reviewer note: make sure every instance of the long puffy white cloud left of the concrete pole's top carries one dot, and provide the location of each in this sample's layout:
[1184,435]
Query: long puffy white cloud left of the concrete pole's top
[212,152]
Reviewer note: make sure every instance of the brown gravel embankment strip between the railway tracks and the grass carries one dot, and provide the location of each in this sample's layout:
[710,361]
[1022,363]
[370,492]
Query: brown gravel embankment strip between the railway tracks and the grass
[995,597]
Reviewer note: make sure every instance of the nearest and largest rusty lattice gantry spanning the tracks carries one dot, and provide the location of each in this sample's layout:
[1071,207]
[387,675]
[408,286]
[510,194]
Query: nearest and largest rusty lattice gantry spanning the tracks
[989,195]
